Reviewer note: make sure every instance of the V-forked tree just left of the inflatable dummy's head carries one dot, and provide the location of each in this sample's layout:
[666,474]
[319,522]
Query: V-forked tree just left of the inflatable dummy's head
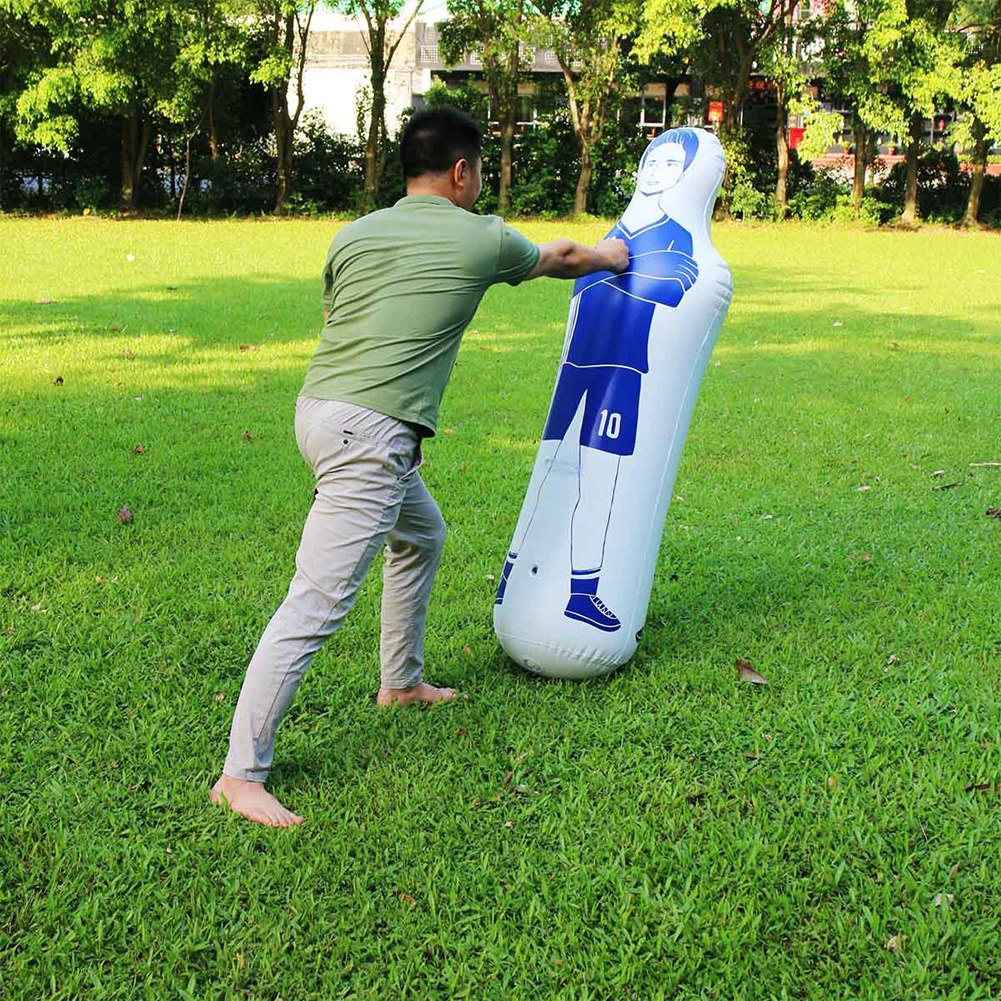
[589,38]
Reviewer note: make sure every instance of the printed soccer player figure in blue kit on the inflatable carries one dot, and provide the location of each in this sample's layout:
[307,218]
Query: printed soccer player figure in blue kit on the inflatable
[605,363]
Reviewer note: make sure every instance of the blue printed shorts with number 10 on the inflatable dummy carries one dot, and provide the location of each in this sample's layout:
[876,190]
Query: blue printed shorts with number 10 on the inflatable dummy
[611,407]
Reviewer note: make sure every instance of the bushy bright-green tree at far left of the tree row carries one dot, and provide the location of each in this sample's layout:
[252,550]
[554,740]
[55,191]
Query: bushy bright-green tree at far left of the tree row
[113,58]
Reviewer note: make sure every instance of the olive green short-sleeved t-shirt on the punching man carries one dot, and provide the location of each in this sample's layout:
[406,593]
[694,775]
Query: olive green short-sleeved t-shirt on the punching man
[400,288]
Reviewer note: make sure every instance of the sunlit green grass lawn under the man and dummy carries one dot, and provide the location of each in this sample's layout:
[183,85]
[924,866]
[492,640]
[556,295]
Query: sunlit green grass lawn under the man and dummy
[670,832]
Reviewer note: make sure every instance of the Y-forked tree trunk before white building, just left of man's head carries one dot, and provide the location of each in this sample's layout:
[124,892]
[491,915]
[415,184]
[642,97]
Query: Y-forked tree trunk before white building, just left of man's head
[382,44]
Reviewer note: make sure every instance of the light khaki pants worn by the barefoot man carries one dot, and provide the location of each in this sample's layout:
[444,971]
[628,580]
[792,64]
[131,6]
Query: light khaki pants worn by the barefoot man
[369,493]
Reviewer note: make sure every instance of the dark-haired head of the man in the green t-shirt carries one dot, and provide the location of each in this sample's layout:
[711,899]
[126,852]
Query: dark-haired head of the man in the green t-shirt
[440,152]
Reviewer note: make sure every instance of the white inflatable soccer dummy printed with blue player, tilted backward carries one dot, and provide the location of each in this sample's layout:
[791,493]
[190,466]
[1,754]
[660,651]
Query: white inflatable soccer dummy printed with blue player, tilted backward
[575,589]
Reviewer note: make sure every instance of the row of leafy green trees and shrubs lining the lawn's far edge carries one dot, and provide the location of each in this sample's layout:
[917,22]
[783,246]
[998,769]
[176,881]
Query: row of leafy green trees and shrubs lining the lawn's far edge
[213,91]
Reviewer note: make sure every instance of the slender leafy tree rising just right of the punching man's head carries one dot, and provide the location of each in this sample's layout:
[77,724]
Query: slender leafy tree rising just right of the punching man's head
[496,30]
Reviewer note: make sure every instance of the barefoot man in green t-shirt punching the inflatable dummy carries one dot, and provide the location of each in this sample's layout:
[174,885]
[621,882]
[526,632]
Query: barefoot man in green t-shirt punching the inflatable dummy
[400,288]
